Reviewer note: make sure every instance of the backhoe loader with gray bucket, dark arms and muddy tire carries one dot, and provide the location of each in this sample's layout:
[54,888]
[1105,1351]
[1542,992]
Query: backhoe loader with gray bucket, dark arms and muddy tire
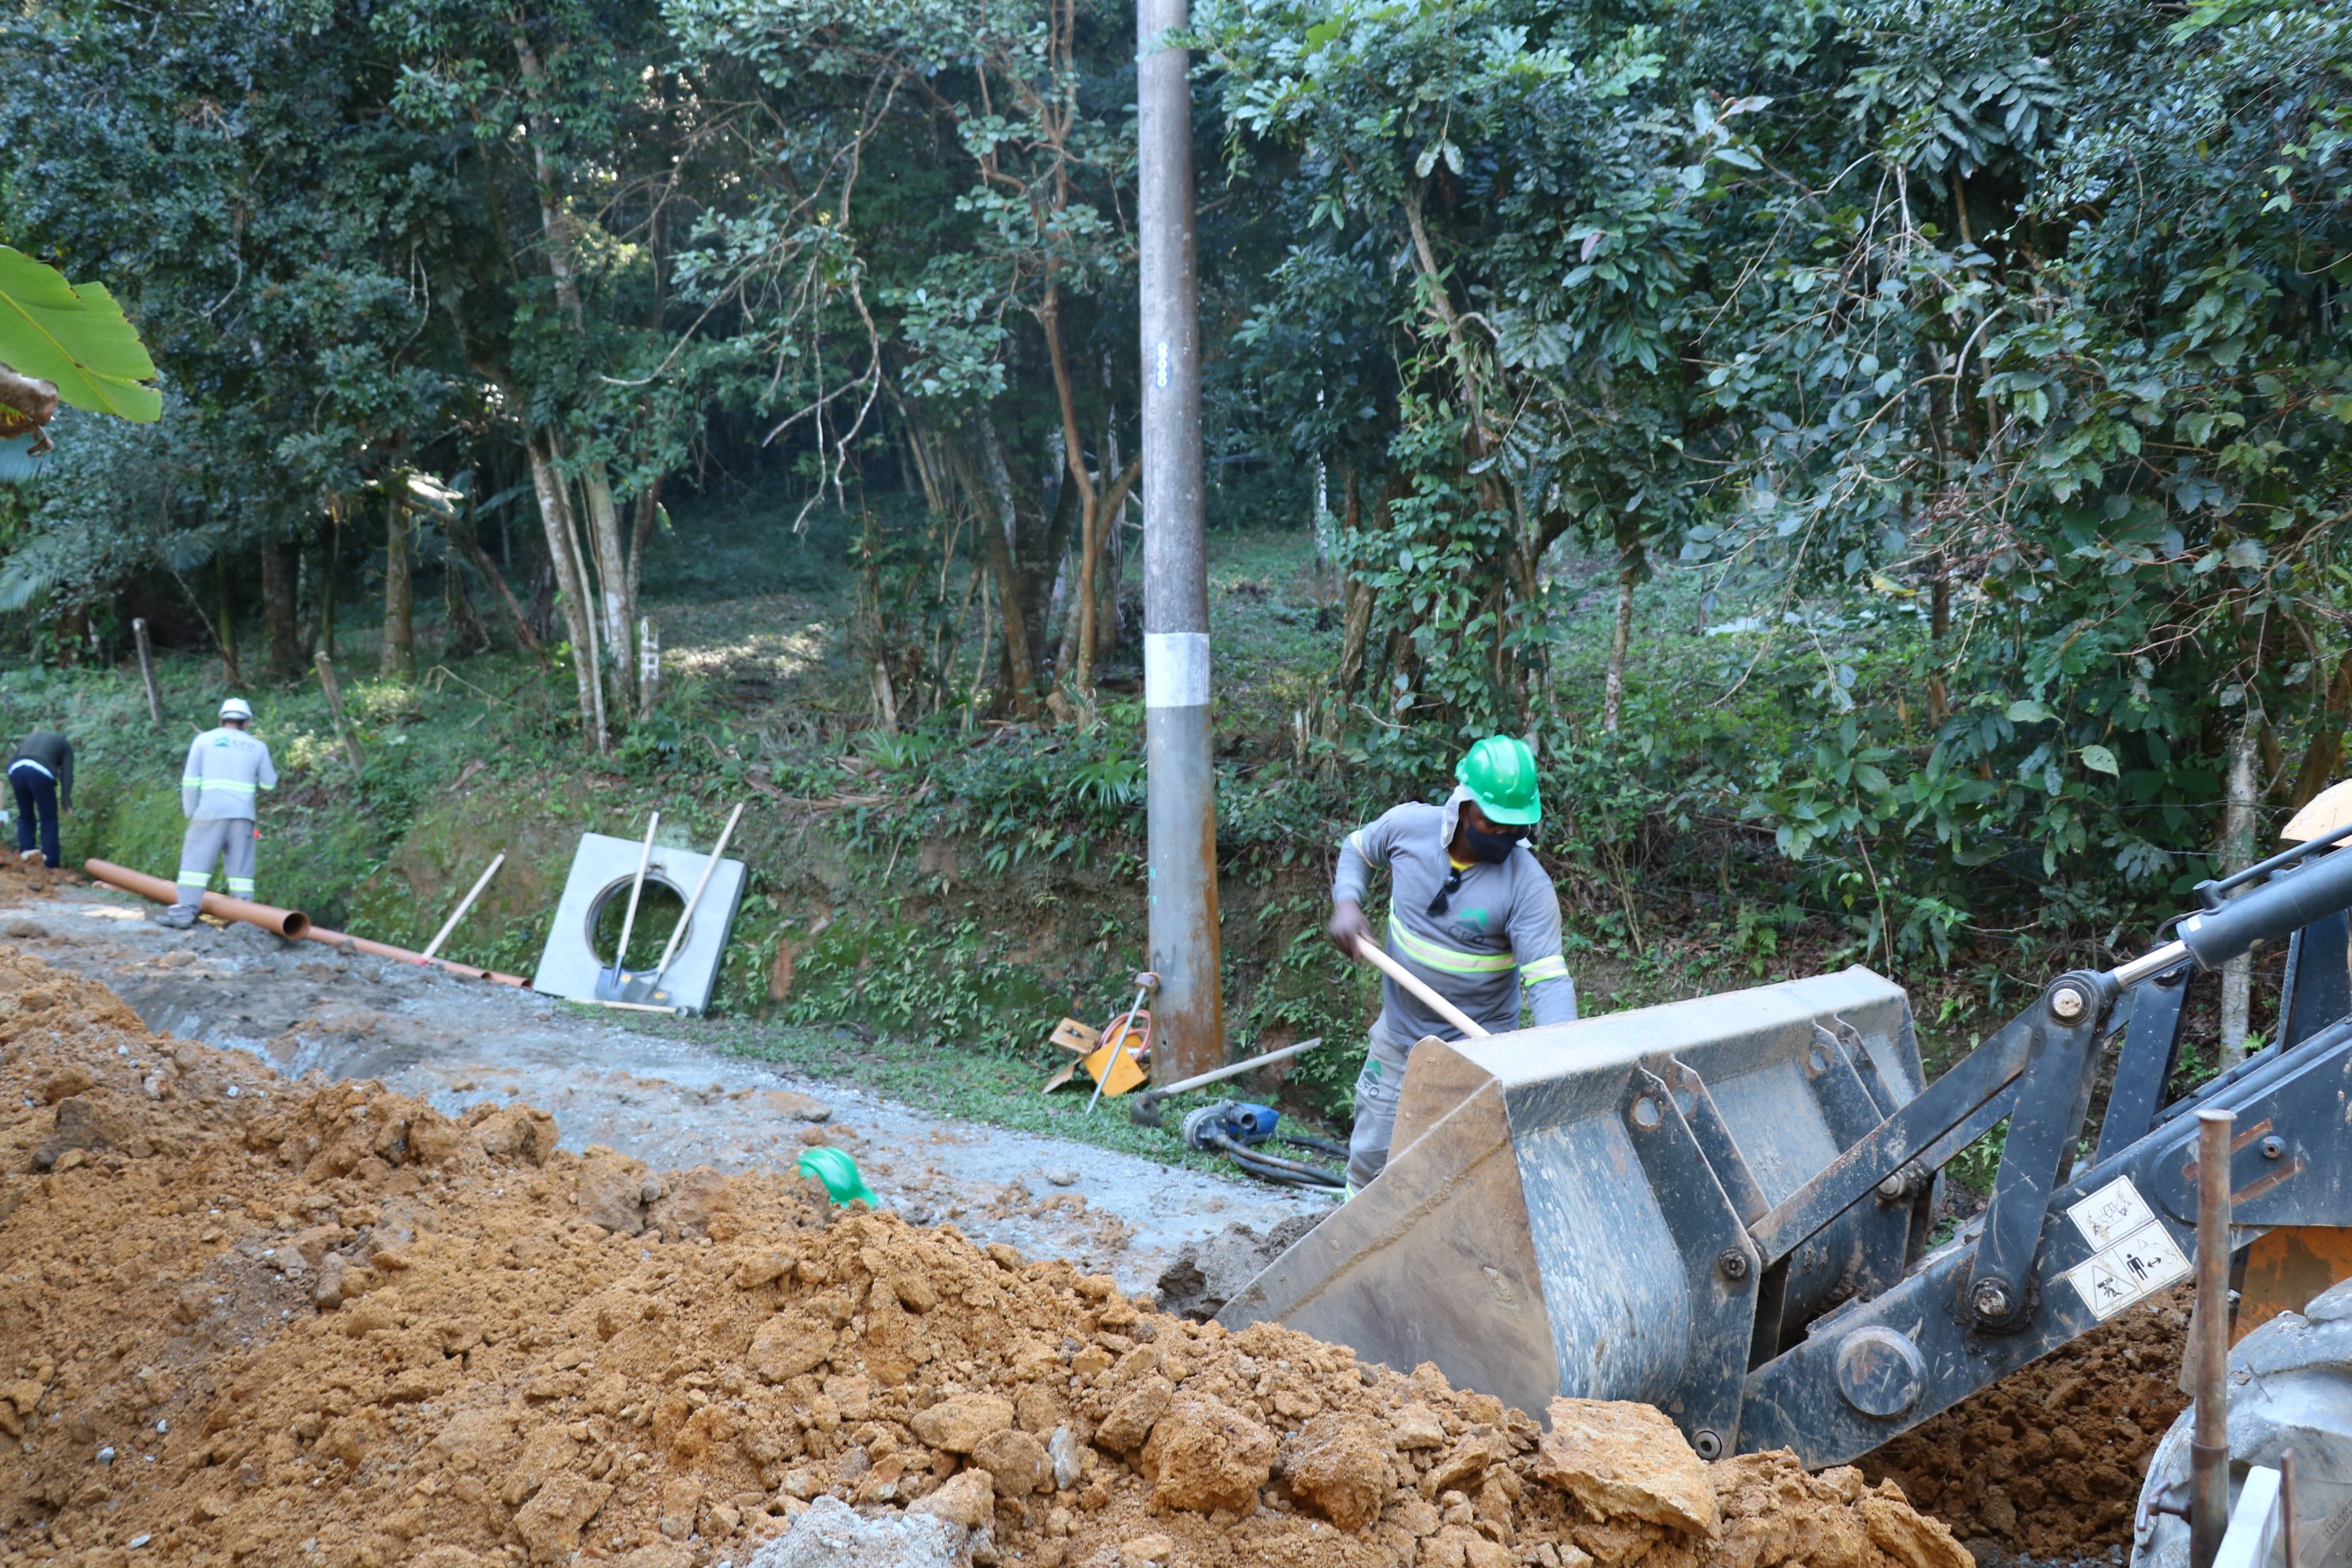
[1723,1207]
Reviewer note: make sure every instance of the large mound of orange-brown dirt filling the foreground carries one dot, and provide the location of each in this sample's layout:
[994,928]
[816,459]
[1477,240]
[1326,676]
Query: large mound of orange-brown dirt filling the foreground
[248,1320]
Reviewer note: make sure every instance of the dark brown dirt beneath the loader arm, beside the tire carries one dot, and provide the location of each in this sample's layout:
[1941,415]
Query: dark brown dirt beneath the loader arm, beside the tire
[2050,1461]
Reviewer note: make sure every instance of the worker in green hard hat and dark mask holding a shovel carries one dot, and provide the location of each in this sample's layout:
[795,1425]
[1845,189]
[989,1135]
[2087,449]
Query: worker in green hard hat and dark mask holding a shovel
[1469,913]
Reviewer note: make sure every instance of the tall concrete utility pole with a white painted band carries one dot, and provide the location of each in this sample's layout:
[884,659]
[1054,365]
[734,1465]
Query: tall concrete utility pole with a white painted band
[1189,1017]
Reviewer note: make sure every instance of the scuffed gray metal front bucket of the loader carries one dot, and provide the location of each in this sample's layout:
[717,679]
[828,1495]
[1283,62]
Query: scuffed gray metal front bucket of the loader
[1565,1209]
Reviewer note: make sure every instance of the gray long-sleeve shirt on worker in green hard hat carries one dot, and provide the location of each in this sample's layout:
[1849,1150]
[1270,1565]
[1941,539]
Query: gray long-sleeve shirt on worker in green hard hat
[1497,934]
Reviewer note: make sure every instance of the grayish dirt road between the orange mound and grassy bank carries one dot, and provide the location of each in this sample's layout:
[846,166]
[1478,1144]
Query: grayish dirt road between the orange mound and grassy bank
[671,1104]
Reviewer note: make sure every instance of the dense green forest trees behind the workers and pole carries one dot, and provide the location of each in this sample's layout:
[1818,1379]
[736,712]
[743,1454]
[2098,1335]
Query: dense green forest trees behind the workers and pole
[2010,333]
